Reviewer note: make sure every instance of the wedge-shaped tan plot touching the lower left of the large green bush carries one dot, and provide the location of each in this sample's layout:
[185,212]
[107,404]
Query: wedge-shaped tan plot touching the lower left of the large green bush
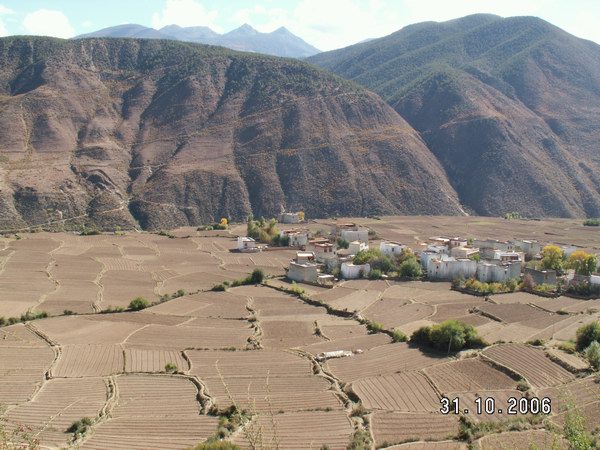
[382,360]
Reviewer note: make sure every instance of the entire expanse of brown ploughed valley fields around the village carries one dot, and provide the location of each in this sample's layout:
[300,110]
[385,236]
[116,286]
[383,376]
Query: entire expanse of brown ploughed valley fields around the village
[256,346]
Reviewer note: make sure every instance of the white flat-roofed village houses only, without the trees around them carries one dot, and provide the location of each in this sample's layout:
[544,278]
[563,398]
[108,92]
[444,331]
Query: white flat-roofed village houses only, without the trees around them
[442,258]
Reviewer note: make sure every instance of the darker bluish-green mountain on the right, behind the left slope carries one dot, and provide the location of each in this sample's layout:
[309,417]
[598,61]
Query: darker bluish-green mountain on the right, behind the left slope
[509,107]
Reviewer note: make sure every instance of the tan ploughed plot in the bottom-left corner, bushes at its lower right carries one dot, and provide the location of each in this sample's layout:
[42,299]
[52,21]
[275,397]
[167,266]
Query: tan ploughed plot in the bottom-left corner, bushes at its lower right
[59,403]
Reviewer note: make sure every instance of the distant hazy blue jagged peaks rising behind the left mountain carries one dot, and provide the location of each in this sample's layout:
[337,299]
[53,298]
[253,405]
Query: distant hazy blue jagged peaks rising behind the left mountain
[280,42]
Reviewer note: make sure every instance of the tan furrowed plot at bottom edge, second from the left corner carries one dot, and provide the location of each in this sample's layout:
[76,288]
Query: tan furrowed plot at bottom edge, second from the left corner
[153,412]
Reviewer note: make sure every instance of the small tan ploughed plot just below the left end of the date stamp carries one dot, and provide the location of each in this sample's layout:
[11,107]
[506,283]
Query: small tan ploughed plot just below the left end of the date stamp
[395,428]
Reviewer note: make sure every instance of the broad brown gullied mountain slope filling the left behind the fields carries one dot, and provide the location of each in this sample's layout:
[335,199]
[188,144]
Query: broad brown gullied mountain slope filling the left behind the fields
[126,132]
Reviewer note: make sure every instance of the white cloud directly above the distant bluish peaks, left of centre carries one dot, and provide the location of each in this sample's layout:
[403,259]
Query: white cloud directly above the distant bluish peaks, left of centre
[185,13]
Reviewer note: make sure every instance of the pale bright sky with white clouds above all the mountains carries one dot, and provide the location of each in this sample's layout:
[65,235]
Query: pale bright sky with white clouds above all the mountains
[326,24]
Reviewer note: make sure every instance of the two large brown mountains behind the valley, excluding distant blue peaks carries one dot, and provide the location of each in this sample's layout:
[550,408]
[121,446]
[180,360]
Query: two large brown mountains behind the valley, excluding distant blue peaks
[483,115]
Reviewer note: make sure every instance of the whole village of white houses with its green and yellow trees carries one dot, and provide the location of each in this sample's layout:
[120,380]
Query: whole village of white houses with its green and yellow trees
[348,251]
